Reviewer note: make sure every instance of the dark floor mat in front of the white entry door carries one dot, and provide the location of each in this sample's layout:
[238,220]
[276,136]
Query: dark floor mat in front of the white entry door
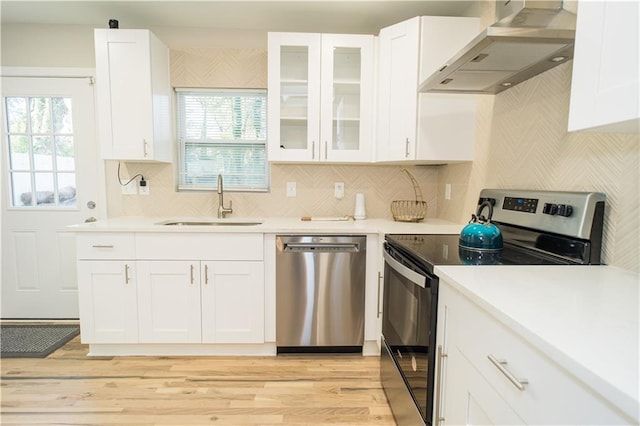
[34,341]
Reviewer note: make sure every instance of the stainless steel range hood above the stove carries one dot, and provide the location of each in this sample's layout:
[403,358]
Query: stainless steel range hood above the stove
[530,37]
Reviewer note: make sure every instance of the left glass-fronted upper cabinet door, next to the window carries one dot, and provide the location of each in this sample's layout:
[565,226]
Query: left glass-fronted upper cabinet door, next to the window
[294,96]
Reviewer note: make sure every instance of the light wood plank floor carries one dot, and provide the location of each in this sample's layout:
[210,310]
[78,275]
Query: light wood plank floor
[68,388]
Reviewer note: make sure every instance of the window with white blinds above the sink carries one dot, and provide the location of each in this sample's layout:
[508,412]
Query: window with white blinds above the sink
[223,132]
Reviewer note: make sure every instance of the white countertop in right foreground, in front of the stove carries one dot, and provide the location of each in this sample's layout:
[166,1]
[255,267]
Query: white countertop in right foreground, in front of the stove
[583,317]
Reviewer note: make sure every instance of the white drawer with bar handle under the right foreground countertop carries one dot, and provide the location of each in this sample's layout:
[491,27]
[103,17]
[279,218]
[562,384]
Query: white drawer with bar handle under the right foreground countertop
[550,396]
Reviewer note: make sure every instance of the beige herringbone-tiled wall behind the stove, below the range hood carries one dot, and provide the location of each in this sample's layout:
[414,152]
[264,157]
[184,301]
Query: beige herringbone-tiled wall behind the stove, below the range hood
[522,142]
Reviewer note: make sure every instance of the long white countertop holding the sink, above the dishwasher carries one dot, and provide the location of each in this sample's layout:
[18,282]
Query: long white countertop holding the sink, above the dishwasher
[292,225]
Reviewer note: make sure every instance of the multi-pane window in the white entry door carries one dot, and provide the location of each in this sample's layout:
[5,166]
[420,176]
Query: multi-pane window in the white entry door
[41,152]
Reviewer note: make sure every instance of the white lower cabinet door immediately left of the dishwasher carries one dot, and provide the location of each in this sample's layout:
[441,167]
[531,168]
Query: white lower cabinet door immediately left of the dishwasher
[233,302]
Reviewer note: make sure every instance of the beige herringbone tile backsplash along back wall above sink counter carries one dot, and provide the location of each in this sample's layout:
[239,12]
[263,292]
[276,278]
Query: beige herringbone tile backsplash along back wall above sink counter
[314,192]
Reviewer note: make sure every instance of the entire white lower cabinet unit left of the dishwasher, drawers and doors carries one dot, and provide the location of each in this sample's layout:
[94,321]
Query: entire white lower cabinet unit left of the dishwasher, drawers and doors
[161,296]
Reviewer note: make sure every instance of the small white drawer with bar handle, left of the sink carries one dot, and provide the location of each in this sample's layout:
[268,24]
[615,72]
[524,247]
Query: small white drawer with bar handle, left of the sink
[105,246]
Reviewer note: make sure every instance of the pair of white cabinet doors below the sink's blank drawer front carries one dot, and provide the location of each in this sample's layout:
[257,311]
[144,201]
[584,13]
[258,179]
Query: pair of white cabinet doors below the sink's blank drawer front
[201,301]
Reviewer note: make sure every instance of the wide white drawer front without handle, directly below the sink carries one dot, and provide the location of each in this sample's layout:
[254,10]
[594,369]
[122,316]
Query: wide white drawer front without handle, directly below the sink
[241,246]
